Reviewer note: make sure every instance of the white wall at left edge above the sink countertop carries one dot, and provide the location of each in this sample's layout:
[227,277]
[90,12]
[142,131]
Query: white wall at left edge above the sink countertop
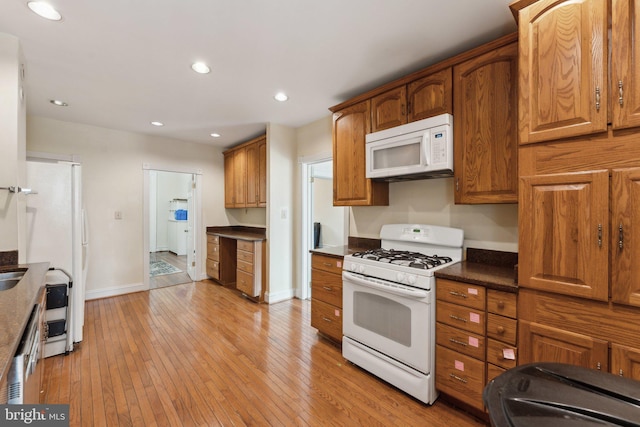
[12,142]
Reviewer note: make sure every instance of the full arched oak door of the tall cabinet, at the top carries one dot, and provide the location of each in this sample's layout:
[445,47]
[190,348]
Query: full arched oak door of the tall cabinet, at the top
[563,69]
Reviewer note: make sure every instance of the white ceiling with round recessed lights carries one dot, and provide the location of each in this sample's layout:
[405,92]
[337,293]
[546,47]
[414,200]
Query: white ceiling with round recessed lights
[120,64]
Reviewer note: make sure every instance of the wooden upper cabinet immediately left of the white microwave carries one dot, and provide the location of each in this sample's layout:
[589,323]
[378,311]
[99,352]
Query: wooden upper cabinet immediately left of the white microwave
[350,185]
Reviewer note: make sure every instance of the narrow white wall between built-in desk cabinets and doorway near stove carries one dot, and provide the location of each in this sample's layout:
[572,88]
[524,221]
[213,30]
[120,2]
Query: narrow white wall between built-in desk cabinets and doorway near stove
[281,162]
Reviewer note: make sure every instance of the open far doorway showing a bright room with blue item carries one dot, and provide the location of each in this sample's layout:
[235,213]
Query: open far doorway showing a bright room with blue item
[172,218]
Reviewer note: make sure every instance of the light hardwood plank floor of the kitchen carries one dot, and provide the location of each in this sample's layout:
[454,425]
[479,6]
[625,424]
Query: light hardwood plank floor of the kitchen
[200,354]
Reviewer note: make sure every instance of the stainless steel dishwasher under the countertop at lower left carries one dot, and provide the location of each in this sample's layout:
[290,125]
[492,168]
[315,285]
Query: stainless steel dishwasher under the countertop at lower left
[23,379]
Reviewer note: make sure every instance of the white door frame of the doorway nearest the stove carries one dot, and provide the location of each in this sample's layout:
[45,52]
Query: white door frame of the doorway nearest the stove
[303,291]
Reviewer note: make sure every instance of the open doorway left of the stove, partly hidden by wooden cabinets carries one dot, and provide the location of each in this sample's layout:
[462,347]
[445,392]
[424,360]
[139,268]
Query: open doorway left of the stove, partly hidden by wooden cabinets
[323,225]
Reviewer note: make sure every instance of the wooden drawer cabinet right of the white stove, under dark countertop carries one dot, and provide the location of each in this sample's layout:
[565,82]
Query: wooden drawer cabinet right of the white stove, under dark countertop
[476,338]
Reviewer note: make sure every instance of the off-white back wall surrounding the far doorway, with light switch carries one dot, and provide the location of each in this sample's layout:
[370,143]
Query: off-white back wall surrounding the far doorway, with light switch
[113,181]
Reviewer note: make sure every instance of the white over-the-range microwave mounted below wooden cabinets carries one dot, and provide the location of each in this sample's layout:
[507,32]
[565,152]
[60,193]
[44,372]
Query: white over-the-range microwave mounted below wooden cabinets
[416,150]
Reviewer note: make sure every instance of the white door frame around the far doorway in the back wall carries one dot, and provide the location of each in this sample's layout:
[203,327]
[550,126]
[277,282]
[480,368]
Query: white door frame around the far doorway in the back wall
[197,217]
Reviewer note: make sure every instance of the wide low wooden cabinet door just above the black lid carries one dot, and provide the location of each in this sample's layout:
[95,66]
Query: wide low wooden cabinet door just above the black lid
[540,343]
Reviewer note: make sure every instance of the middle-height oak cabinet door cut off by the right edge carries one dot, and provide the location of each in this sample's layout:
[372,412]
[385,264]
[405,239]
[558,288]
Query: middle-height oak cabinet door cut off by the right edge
[625,233]
